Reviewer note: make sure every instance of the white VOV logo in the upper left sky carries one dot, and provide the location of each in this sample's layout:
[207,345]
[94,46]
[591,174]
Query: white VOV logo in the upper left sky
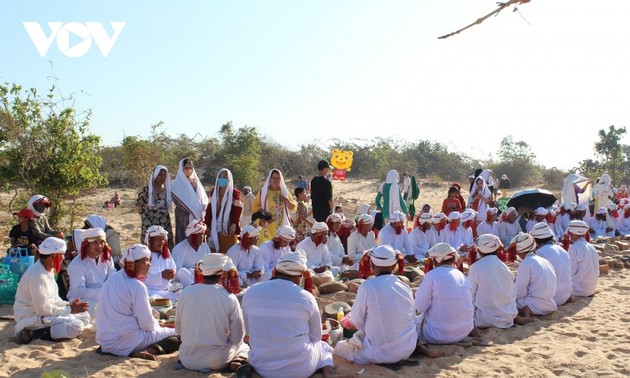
[61,32]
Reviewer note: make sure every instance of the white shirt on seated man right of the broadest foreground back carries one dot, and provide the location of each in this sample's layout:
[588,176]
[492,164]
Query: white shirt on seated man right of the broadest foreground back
[383,310]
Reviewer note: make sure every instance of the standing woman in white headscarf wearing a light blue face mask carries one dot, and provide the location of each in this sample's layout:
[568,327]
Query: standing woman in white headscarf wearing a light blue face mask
[223,214]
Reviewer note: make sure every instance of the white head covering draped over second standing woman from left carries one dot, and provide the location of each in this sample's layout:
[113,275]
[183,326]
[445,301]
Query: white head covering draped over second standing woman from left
[193,197]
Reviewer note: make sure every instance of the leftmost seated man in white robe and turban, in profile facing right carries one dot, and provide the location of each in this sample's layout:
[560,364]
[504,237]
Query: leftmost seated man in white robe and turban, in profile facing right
[39,312]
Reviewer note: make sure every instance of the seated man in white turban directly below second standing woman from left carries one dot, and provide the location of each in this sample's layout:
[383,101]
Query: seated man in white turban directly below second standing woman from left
[189,251]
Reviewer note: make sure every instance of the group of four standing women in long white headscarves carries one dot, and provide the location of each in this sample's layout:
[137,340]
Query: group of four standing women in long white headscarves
[221,209]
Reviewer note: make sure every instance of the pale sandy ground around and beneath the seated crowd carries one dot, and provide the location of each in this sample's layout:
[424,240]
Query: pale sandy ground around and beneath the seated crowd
[588,337]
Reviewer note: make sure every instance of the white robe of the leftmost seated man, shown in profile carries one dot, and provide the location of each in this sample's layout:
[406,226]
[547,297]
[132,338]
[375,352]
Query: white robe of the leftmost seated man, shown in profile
[38,305]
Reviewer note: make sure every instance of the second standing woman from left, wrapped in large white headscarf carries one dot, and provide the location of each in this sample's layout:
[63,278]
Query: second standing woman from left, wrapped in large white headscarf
[189,197]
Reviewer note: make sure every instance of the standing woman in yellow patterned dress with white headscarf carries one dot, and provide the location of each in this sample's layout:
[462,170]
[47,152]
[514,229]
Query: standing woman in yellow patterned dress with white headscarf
[274,197]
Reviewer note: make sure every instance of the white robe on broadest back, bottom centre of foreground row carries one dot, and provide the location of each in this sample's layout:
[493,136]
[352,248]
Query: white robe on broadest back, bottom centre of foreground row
[285,330]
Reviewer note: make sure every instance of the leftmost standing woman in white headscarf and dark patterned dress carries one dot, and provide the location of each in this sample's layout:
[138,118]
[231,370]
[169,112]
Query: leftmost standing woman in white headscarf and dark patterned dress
[154,203]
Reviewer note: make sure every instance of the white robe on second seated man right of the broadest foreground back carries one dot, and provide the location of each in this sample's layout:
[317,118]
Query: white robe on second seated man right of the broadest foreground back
[444,302]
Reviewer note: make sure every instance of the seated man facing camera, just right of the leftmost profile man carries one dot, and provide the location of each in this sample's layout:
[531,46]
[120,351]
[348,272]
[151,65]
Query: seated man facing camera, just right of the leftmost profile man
[89,271]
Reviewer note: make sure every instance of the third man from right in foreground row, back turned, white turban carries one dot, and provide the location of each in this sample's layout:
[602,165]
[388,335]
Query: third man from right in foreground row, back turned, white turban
[535,280]
